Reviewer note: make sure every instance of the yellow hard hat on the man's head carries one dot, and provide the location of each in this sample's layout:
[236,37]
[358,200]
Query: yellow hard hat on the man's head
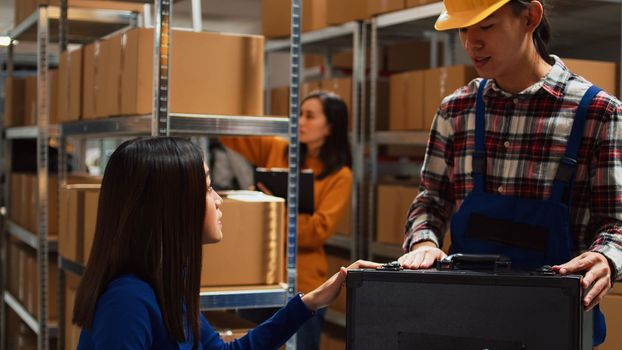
[465,13]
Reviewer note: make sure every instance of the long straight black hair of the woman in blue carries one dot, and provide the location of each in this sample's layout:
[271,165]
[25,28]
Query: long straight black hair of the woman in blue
[149,224]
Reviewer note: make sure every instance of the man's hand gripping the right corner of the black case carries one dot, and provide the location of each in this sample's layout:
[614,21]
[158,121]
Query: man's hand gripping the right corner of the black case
[597,275]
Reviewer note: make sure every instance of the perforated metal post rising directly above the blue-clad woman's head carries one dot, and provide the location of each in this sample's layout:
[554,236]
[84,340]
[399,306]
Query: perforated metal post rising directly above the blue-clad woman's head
[162,46]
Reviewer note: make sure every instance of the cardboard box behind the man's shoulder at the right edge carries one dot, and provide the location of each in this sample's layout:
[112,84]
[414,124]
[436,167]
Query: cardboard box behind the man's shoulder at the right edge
[601,74]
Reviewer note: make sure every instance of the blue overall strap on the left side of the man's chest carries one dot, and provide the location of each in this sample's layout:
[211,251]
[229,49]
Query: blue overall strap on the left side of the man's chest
[479,156]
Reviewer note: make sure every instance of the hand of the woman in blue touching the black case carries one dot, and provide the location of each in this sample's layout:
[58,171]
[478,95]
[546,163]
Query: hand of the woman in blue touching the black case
[325,294]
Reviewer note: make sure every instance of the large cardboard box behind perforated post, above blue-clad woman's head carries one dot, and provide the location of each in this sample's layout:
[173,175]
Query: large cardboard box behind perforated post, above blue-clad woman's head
[211,73]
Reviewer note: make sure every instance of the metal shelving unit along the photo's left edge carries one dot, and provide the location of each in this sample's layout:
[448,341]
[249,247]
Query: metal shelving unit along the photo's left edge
[45,25]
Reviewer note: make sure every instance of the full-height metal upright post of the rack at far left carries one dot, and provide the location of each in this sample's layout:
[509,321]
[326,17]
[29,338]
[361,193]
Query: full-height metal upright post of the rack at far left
[42,172]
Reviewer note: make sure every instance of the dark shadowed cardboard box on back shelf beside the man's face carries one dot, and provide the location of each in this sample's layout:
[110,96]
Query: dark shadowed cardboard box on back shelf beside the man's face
[411,55]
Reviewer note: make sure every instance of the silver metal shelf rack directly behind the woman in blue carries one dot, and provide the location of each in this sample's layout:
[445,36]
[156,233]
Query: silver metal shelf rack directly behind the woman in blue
[163,122]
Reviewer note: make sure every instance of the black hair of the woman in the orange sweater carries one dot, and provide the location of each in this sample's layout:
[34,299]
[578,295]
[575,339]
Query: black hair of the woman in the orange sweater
[335,153]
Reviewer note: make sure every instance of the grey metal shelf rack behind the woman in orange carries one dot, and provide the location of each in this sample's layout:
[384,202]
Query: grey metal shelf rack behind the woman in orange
[327,41]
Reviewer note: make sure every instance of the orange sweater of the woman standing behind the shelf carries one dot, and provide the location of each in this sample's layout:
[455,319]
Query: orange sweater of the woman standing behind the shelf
[331,196]
